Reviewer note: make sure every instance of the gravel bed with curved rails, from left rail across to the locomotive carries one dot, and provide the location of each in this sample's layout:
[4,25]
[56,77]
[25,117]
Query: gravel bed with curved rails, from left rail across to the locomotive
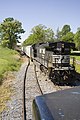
[37,83]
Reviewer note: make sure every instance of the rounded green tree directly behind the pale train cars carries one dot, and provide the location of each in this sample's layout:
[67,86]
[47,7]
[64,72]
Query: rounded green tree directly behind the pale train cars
[40,33]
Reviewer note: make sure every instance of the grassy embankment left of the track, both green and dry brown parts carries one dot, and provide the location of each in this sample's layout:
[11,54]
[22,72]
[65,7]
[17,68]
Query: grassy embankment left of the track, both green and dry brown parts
[9,61]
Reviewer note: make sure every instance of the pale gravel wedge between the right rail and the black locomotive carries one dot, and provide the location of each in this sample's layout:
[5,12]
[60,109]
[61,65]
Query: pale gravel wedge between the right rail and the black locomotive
[46,85]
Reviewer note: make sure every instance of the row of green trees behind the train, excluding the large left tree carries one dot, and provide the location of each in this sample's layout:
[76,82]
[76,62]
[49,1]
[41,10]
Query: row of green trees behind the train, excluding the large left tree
[41,33]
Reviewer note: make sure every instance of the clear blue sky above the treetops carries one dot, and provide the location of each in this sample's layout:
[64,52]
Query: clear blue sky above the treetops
[51,13]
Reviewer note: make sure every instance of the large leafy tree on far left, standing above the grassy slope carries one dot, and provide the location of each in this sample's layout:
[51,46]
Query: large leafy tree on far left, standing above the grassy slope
[9,32]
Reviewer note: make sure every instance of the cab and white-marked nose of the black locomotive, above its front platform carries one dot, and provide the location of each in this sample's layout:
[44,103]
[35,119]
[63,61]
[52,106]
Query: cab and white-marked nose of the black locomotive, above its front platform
[61,53]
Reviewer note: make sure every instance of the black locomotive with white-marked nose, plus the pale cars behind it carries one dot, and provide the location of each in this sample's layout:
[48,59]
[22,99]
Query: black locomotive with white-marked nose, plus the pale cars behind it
[54,59]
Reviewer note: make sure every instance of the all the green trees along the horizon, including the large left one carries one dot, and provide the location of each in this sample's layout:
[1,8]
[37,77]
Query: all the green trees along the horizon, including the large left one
[11,30]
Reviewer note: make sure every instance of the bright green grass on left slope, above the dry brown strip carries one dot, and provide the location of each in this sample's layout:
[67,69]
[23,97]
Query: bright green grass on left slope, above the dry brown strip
[9,61]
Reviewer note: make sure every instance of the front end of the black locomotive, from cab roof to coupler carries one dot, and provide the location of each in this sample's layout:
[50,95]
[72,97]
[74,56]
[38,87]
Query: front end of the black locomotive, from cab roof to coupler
[61,69]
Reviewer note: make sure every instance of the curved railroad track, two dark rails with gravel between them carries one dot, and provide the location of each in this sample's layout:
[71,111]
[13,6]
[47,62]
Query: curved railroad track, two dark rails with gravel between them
[31,89]
